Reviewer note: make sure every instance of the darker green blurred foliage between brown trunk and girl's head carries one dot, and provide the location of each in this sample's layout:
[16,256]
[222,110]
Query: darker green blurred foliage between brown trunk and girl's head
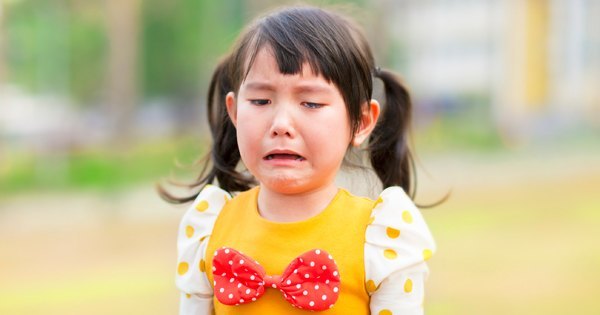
[182,40]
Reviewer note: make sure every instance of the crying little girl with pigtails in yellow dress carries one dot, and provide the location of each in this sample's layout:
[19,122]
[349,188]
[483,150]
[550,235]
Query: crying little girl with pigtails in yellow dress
[289,101]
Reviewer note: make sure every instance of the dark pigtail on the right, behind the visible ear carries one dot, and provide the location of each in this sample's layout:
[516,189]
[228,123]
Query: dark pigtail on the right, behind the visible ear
[388,143]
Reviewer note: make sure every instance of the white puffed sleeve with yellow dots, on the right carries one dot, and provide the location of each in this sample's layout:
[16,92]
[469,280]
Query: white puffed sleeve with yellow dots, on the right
[398,243]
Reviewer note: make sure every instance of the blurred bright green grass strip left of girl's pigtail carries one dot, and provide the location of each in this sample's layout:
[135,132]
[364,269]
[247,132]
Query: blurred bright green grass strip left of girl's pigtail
[103,169]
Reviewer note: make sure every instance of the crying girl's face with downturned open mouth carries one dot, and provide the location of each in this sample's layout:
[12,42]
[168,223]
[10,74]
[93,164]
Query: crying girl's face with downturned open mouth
[292,130]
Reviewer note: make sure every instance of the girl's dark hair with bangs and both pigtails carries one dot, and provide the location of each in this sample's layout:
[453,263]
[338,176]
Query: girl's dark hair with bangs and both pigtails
[334,48]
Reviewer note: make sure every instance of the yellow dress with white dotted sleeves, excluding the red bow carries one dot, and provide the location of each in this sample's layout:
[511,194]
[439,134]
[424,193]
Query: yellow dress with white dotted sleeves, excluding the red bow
[352,229]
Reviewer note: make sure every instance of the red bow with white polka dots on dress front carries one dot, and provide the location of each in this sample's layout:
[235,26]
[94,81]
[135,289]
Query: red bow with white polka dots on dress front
[311,281]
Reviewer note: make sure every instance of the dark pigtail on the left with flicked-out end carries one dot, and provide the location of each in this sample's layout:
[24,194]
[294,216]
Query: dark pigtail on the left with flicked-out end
[221,162]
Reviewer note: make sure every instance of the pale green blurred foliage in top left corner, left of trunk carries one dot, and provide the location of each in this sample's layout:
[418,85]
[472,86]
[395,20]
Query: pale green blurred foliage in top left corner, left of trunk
[57,46]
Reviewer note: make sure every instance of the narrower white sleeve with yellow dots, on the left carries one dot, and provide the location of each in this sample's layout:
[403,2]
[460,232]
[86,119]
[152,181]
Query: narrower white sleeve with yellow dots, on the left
[194,231]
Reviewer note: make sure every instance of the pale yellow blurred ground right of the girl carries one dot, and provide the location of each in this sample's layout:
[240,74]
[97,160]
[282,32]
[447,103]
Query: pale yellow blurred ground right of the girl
[527,247]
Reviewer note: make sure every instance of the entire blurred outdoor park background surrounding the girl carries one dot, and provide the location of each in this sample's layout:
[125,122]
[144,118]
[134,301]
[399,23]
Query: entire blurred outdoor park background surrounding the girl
[100,99]
